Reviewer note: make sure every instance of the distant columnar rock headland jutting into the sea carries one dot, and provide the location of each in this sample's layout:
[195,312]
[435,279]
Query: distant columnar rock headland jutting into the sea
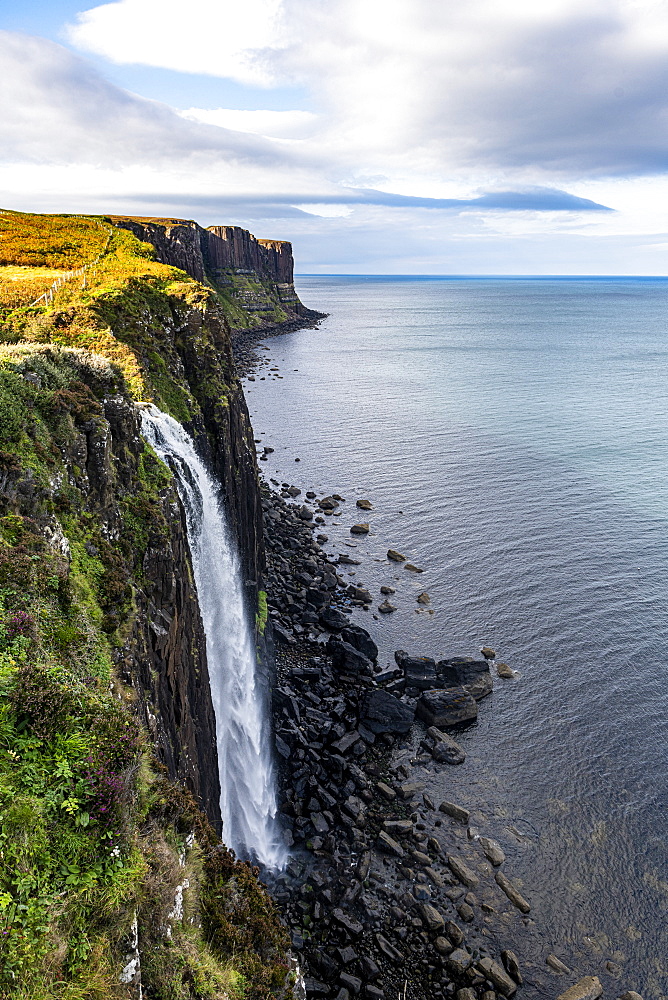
[253,279]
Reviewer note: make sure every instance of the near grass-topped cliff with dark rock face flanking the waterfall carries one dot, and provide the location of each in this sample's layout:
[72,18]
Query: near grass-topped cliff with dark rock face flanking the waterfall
[109,783]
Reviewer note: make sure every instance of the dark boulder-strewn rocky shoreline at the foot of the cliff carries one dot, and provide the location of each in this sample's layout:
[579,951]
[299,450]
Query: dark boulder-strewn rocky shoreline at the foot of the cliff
[388,891]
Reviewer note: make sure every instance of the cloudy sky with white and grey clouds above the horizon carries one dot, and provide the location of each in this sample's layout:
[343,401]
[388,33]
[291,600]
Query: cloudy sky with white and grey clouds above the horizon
[393,137]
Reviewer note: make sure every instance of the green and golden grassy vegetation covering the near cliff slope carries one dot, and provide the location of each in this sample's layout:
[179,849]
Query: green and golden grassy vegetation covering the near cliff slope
[91,833]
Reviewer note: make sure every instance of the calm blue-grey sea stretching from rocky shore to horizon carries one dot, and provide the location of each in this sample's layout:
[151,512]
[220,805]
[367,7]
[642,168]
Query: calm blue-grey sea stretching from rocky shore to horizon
[512,436]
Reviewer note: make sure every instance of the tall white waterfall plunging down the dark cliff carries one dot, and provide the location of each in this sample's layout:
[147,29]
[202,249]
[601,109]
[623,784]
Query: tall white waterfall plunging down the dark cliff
[248,797]
